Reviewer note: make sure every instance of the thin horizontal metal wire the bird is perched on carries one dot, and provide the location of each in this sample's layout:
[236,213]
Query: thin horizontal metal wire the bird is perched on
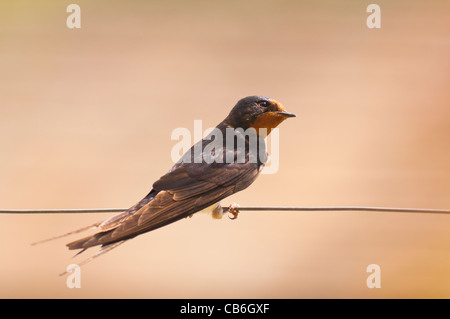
[244,208]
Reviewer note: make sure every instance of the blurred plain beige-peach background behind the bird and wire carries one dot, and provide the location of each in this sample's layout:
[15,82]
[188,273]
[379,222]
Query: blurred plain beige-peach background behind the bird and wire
[86,117]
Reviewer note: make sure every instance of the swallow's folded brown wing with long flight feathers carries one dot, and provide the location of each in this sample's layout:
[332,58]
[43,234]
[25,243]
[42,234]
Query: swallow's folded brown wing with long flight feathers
[183,191]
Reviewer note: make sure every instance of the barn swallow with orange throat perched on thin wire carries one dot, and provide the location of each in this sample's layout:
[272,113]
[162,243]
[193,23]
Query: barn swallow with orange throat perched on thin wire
[196,182]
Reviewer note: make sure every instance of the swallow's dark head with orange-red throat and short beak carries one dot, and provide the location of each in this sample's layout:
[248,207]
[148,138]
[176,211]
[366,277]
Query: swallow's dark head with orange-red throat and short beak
[257,112]
